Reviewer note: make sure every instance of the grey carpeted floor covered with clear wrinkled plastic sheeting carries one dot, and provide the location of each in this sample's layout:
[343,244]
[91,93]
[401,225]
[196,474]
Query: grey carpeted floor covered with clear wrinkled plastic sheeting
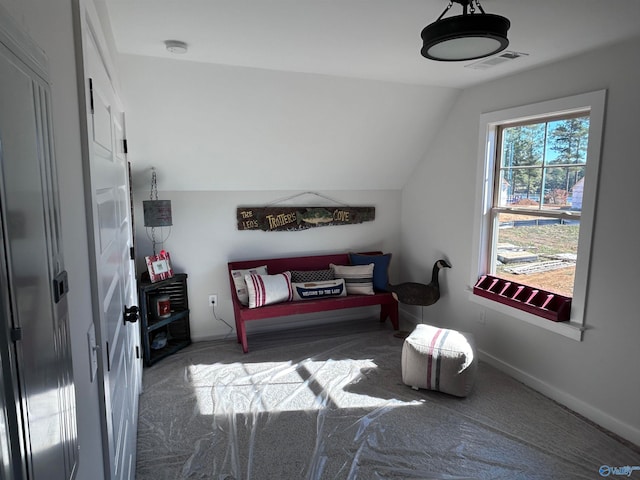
[329,403]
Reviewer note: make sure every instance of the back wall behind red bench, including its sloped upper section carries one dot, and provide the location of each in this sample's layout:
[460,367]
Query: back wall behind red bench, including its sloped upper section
[222,136]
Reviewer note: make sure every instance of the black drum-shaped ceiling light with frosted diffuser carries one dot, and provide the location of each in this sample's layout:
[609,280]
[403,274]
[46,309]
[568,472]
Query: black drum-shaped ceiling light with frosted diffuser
[465,37]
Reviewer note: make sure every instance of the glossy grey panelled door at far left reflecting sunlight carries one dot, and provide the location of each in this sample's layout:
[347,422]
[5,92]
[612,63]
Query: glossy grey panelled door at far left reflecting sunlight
[37,383]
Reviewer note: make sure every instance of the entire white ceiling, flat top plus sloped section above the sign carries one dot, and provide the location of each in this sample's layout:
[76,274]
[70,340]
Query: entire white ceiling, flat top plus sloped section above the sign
[276,94]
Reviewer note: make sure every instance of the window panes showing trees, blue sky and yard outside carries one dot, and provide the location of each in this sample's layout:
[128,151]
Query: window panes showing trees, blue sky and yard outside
[538,200]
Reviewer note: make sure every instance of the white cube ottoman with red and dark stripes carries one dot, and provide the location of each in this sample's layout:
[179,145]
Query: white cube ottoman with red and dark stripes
[439,359]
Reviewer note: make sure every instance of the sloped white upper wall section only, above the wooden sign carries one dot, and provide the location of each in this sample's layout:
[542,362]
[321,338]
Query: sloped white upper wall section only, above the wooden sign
[215,127]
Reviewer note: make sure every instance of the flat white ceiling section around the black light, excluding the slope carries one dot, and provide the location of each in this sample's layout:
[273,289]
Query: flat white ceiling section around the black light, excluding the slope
[371,39]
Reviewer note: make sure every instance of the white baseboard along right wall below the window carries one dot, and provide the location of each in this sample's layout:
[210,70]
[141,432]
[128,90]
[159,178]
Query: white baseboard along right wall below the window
[594,414]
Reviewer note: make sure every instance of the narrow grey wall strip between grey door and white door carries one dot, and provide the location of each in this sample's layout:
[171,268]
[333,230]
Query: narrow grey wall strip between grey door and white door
[50,25]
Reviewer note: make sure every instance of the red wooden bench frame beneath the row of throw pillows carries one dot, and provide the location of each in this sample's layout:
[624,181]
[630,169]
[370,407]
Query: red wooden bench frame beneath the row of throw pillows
[388,305]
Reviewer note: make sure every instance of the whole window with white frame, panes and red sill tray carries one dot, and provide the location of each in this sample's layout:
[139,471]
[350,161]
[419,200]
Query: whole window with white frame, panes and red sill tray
[538,175]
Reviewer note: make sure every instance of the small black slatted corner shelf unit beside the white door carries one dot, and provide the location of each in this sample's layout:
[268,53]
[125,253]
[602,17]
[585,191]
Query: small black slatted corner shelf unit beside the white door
[175,326]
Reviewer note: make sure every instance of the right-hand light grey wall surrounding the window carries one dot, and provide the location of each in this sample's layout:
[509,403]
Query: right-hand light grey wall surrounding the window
[599,376]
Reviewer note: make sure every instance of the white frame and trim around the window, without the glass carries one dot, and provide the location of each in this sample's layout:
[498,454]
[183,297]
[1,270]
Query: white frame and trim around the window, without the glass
[592,102]
